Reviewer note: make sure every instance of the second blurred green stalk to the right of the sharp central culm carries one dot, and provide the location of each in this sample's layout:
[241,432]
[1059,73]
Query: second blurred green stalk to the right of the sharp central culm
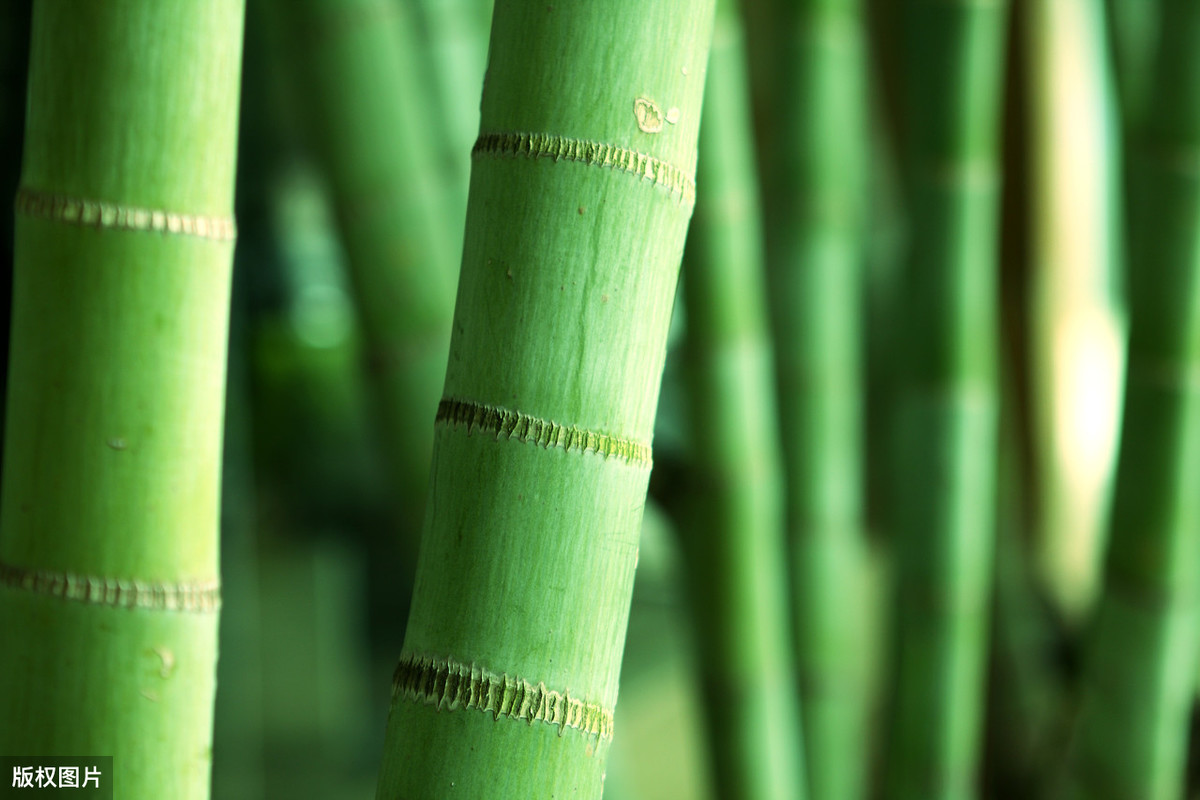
[813,179]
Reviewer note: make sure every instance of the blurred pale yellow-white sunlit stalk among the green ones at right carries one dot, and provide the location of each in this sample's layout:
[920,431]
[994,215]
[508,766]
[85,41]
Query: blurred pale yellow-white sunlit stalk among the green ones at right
[1078,329]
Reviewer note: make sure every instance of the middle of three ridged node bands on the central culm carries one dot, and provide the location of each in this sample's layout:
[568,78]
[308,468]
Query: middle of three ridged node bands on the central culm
[508,424]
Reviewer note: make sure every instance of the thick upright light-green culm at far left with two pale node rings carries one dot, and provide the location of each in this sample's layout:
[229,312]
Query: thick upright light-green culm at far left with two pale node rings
[109,518]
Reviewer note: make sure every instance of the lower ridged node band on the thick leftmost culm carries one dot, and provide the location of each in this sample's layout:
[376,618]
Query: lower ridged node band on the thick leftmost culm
[201,597]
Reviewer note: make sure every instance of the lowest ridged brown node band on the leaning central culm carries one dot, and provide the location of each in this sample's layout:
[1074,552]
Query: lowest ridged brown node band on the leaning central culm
[452,685]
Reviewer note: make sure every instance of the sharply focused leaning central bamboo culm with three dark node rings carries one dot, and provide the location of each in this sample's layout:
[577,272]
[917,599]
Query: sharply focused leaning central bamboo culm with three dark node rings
[581,194]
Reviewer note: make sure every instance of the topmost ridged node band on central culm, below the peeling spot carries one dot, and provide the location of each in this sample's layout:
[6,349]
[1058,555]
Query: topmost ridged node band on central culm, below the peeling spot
[593,154]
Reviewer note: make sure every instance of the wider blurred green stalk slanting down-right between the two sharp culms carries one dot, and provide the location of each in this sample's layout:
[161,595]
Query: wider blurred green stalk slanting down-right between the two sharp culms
[373,134]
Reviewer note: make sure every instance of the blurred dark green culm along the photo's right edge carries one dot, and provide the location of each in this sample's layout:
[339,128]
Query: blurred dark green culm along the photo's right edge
[1142,664]
